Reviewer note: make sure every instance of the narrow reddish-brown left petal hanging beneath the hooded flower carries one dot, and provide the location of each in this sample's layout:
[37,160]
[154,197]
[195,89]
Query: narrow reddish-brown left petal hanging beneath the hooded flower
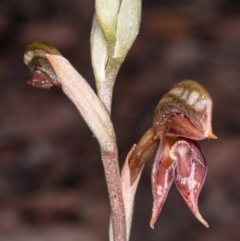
[162,179]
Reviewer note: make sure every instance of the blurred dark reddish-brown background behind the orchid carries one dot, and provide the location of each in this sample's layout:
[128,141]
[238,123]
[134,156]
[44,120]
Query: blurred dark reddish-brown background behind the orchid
[52,186]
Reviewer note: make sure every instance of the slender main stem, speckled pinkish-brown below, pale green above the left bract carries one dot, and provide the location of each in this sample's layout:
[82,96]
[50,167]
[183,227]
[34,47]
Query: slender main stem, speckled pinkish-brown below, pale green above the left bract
[110,160]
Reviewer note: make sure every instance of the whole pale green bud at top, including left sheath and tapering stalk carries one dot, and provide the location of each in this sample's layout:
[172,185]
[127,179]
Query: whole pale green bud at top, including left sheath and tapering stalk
[115,27]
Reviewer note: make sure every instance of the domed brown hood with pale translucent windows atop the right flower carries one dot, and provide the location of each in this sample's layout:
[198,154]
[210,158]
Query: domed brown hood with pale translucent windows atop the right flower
[185,111]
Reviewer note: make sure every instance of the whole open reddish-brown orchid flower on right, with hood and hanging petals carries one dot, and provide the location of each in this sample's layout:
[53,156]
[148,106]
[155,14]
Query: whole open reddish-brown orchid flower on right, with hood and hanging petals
[182,116]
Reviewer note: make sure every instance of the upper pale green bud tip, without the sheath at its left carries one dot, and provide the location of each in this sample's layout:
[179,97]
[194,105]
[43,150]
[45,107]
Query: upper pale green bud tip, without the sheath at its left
[119,21]
